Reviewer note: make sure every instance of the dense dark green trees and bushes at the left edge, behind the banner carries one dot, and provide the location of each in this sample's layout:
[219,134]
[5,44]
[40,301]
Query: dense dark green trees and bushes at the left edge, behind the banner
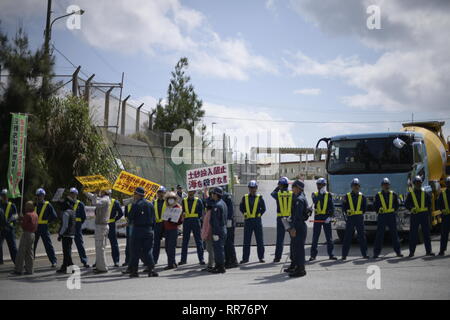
[62,141]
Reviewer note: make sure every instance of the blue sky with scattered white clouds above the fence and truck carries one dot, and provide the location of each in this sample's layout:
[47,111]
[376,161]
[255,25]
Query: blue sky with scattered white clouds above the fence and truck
[295,60]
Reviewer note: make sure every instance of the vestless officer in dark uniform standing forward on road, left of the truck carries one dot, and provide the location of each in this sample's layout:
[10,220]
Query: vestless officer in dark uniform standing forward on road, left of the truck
[298,229]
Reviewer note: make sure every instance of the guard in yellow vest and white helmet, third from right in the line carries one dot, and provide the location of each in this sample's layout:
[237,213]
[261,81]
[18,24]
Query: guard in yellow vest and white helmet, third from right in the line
[386,204]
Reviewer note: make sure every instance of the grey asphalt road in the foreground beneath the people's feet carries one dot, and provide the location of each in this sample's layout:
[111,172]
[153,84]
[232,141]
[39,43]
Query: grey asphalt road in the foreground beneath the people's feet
[401,278]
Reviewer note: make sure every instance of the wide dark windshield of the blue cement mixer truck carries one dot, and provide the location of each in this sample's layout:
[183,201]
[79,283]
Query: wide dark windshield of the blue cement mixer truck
[377,155]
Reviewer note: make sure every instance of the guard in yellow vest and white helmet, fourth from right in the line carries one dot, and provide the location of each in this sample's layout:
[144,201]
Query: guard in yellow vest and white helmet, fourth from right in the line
[354,206]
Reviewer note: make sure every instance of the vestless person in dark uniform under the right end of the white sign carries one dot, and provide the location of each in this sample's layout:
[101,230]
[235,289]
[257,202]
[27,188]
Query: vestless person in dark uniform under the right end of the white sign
[219,229]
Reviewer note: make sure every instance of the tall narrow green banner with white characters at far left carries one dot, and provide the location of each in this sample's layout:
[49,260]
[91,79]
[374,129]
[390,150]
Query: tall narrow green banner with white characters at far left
[17,145]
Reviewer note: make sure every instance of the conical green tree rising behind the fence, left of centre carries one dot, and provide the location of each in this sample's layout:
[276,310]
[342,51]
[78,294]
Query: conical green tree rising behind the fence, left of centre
[183,107]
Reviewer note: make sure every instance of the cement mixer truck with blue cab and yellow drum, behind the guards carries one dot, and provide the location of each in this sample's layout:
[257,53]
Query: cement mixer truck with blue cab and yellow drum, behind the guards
[420,148]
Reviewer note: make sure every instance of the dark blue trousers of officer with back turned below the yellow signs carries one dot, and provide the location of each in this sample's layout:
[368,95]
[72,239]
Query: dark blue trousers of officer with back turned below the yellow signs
[141,246]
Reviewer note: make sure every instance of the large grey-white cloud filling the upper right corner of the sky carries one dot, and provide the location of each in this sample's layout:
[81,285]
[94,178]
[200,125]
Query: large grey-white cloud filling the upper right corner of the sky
[413,70]
